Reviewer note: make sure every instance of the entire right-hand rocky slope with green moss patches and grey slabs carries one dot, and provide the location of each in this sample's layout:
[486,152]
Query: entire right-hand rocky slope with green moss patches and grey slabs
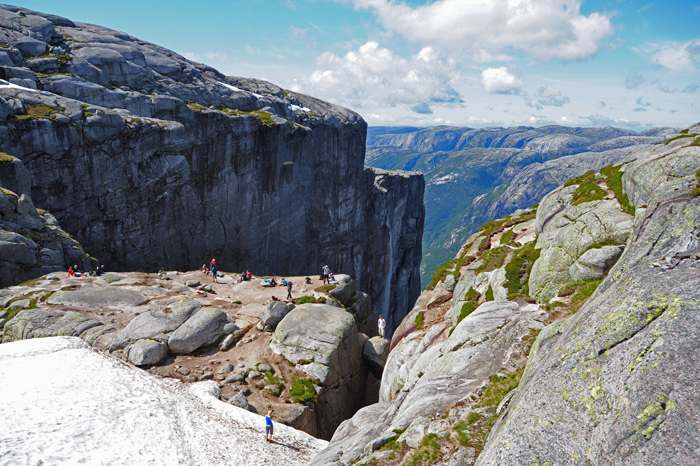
[563,334]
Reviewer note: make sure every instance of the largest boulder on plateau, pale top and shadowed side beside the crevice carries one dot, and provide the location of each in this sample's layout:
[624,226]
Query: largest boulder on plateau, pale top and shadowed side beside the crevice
[323,342]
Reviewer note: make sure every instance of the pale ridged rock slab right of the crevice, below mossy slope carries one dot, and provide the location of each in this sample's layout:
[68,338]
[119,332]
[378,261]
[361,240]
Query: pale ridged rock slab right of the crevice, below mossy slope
[428,373]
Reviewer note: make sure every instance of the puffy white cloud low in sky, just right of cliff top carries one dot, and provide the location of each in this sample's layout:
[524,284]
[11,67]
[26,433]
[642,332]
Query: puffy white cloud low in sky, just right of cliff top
[375,74]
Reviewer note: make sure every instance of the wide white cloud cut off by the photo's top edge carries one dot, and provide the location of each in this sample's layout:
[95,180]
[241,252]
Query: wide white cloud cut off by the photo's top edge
[546,29]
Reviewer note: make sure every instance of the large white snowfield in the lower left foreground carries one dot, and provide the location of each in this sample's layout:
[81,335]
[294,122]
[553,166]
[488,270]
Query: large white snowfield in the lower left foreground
[66,404]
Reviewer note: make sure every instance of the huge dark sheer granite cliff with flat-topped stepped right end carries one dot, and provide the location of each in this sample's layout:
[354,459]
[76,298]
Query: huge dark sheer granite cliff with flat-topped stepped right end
[153,161]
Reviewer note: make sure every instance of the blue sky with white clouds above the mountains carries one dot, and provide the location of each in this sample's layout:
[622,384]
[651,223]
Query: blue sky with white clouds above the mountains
[471,63]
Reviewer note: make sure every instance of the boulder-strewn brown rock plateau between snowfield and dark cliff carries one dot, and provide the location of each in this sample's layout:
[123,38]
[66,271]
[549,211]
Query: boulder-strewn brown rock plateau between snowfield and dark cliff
[307,360]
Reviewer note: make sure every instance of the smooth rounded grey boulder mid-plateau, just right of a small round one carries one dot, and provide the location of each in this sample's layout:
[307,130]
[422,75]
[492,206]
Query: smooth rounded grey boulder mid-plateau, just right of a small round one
[202,329]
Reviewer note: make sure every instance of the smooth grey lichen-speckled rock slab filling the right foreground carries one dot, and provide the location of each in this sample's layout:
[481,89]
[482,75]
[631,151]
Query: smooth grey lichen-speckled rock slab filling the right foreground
[616,382]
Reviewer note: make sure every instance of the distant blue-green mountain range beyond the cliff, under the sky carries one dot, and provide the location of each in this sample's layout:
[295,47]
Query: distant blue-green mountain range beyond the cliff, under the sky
[477,175]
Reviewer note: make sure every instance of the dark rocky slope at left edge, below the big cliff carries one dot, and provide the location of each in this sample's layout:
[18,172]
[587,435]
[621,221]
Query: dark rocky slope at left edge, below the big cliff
[32,242]
